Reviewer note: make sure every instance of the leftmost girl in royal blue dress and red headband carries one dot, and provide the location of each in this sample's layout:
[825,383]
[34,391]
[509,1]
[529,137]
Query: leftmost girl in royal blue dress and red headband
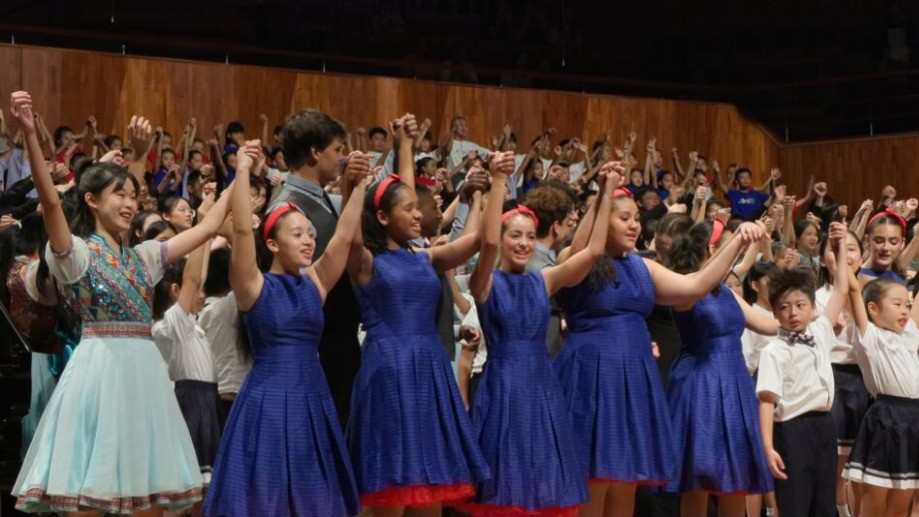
[283,450]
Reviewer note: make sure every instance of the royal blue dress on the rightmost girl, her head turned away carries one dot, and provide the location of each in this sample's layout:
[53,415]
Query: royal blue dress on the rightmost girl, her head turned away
[713,403]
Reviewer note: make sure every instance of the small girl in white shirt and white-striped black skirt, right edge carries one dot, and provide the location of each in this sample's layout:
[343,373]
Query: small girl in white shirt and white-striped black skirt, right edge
[885,456]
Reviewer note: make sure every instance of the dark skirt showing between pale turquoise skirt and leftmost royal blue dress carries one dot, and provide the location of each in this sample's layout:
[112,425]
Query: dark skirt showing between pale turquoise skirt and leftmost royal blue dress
[198,402]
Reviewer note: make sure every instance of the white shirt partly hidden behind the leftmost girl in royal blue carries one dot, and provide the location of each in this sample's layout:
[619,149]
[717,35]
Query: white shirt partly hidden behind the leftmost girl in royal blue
[220,321]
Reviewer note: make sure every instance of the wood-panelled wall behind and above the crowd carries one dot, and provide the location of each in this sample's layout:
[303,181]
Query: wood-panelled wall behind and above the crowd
[69,85]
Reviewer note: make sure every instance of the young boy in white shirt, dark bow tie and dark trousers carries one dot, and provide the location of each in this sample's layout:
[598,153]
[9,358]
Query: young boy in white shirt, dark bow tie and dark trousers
[795,387]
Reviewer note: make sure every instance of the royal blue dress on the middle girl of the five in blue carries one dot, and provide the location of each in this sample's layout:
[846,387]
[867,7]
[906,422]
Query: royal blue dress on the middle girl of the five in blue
[519,409]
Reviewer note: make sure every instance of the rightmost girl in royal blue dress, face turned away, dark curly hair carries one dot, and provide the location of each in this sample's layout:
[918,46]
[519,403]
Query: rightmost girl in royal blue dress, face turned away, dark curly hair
[712,400]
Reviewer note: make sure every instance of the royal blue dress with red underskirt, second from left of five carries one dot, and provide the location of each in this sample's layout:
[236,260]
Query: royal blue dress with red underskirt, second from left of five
[409,434]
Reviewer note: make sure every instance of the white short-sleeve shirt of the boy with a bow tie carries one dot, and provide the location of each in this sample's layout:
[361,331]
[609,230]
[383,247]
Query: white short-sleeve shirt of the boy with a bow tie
[800,376]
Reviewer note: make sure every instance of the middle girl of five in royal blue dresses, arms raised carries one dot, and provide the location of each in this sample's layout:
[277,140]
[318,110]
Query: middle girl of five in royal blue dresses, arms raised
[519,410]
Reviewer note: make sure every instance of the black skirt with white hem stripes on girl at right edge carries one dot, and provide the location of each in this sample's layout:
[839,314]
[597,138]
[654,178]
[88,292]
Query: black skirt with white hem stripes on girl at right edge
[886,451]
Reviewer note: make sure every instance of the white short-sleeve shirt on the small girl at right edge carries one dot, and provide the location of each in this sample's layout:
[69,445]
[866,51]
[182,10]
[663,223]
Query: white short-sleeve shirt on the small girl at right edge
[890,360]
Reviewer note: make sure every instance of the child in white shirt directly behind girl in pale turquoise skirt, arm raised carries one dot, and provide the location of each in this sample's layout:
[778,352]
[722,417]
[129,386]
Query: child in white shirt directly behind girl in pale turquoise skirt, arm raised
[185,348]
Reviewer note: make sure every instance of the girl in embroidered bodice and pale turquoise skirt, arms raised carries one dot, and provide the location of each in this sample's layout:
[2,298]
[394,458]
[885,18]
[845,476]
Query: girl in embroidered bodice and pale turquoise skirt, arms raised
[112,438]
